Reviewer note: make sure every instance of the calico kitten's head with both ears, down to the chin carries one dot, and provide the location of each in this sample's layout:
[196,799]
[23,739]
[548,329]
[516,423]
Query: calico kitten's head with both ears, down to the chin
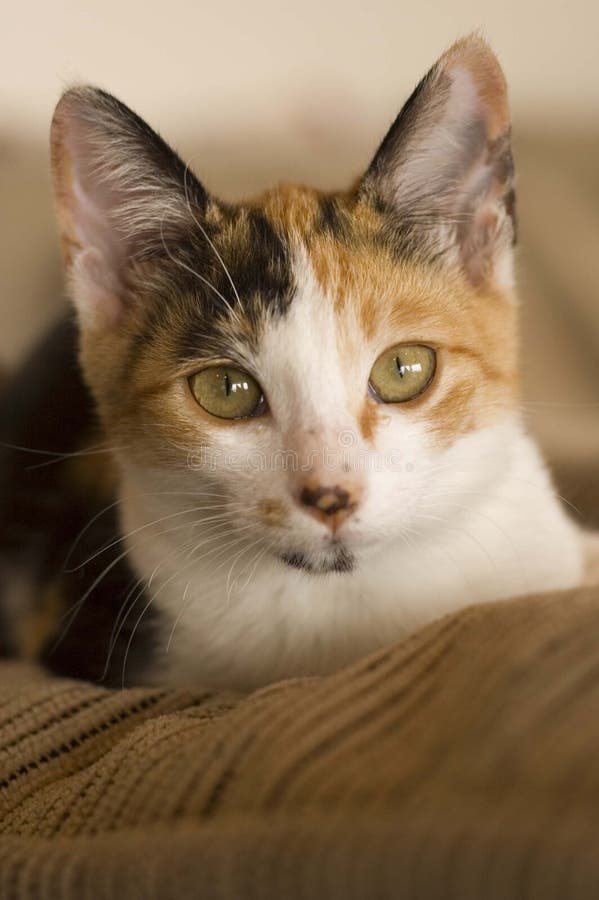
[320,364]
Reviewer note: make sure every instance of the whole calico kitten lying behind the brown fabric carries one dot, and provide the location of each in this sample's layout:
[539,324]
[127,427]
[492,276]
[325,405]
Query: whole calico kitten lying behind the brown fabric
[308,439]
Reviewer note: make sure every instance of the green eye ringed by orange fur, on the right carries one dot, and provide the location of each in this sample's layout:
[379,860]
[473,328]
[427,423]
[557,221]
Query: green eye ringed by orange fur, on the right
[403,372]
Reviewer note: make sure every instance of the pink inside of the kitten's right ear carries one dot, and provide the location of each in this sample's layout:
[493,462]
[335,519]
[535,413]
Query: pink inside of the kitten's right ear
[457,166]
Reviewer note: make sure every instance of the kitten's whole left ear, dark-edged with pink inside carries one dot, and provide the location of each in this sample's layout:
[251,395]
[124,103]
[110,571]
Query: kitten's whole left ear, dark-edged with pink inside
[120,192]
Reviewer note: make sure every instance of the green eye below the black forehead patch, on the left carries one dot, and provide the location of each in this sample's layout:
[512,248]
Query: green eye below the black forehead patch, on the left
[227,392]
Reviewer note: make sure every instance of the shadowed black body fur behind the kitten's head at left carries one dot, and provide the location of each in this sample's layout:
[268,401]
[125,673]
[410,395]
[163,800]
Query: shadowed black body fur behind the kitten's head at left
[45,512]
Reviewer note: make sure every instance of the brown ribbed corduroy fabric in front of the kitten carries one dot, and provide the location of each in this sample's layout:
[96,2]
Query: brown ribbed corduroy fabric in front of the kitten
[461,763]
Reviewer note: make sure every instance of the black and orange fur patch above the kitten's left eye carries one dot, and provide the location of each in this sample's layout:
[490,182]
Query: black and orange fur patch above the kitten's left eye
[204,283]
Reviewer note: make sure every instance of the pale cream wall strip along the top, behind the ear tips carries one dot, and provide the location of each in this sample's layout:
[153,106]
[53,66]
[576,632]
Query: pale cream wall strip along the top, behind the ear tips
[188,65]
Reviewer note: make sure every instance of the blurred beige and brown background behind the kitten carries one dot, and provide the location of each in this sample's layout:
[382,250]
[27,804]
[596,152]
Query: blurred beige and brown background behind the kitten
[255,92]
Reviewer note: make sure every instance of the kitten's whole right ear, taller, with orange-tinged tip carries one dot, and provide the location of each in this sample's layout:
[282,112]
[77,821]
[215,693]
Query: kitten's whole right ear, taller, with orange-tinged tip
[445,167]
